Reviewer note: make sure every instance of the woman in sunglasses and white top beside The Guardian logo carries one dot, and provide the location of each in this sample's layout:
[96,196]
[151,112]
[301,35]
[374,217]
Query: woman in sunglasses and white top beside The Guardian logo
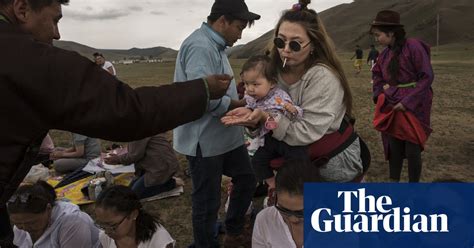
[282,224]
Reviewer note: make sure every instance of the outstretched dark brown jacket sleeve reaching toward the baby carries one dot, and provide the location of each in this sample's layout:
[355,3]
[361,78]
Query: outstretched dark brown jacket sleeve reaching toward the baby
[74,94]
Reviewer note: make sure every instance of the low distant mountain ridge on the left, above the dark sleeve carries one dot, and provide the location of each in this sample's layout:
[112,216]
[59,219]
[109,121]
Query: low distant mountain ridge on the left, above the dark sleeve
[117,54]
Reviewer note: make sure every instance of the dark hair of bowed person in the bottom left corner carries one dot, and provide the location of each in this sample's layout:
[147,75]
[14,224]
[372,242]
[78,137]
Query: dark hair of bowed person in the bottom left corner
[32,198]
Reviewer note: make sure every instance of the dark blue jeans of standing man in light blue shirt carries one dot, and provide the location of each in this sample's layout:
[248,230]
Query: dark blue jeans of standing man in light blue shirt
[206,174]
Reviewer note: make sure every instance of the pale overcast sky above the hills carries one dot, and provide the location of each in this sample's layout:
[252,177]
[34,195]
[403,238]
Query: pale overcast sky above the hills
[124,24]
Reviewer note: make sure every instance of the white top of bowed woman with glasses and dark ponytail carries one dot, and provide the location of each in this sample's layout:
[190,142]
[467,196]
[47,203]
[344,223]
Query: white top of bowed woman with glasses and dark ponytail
[160,239]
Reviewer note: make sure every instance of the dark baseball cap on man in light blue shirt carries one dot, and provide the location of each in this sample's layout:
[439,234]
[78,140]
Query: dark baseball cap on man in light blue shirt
[235,8]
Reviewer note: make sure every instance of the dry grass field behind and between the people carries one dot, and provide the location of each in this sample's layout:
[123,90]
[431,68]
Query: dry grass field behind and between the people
[448,152]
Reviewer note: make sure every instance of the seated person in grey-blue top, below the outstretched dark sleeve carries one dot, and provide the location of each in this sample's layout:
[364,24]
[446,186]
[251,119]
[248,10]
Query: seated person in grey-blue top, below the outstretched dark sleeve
[70,159]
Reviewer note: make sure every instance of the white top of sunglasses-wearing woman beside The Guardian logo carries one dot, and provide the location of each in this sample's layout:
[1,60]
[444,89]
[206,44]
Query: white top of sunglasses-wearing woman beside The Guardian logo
[271,231]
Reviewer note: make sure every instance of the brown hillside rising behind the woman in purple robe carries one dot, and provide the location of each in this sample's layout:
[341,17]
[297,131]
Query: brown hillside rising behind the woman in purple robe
[348,24]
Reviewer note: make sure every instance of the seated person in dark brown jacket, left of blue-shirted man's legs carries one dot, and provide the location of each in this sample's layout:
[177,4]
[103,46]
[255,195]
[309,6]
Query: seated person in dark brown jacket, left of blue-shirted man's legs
[155,164]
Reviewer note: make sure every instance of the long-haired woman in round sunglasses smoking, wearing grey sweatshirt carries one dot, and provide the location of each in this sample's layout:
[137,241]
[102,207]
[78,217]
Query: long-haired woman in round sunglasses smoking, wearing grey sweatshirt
[309,70]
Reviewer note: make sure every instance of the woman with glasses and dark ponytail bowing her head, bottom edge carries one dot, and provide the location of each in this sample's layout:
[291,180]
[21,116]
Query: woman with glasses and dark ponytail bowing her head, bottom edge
[120,215]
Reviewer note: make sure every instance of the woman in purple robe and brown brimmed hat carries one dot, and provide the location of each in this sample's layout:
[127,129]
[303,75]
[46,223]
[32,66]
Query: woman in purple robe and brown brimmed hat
[404,65]
